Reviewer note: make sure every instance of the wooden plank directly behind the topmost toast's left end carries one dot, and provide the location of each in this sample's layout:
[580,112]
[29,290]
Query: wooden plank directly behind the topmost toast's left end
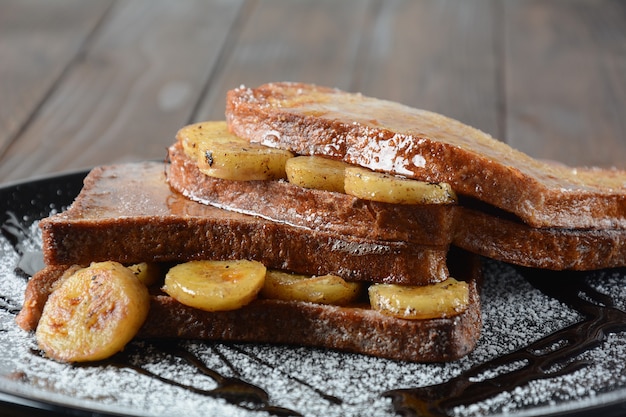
[308,41]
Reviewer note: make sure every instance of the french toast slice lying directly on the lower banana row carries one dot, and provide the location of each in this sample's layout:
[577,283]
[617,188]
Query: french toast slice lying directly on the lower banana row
[127,213]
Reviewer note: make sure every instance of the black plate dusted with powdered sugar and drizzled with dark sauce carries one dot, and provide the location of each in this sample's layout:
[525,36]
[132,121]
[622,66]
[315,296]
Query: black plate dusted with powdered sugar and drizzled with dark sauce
[562,374]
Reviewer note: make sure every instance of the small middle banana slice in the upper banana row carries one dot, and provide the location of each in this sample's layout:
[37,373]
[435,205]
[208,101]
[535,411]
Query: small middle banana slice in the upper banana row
[316,172]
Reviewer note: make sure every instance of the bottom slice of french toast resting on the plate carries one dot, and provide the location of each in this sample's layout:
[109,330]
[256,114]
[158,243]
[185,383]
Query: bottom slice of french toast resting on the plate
[356,329]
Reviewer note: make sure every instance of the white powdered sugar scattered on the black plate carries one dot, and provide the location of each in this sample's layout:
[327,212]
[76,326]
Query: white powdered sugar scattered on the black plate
[314,381]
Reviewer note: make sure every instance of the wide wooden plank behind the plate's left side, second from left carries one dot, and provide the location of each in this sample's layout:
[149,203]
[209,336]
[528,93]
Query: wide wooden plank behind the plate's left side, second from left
[135,86]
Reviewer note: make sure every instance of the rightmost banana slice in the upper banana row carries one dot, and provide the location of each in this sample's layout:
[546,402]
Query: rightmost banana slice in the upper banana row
[376,186]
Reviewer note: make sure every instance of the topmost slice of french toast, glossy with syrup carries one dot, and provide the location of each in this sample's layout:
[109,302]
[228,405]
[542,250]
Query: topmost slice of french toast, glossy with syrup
[398,139]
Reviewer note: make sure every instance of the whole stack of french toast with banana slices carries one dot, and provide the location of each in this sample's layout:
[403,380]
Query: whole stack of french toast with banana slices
[316,217]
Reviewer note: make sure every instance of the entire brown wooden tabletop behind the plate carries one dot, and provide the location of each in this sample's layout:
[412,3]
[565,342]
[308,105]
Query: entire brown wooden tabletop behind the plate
[84,83]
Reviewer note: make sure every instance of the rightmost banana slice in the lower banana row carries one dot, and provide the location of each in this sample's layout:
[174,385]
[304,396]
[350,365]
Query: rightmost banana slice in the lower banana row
[444,299]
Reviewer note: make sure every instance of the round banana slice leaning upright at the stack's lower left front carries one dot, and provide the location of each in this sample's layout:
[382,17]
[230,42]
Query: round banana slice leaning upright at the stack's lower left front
[93,314]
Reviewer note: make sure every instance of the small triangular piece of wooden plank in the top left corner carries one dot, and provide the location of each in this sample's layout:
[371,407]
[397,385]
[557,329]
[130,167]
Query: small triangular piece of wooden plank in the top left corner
[38,40]
